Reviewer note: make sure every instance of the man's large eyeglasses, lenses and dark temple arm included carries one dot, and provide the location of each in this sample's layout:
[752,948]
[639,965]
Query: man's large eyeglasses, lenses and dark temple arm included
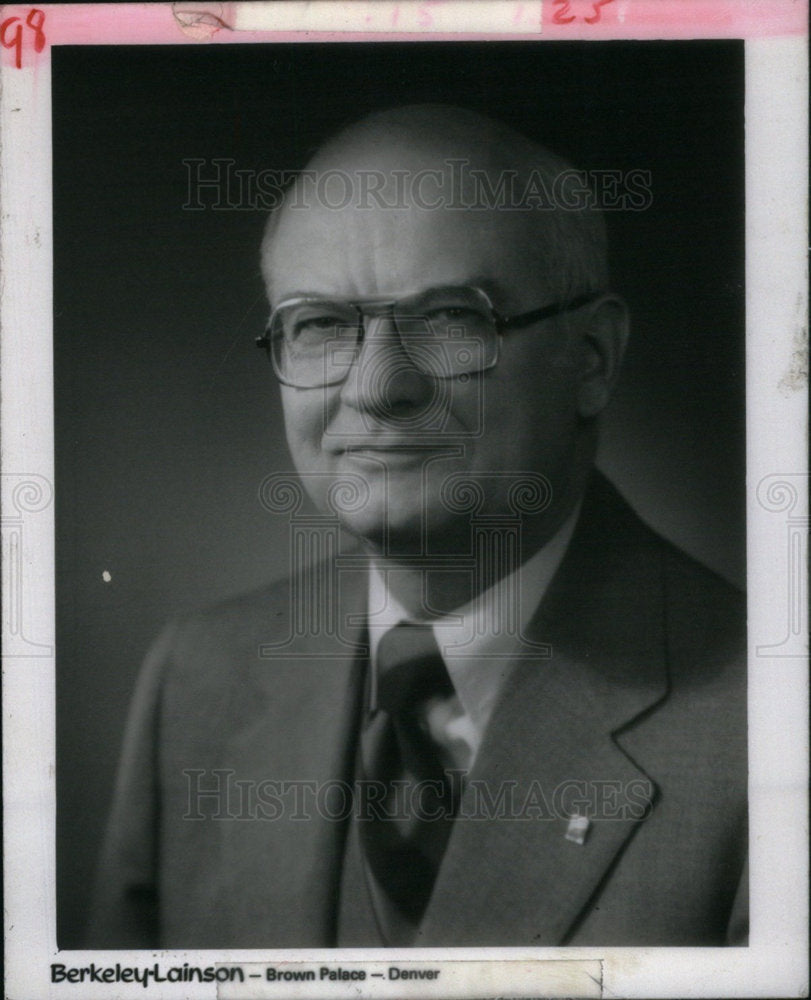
[444,332]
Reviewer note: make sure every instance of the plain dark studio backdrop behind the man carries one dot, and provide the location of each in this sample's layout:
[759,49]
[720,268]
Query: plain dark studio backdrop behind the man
[167,417]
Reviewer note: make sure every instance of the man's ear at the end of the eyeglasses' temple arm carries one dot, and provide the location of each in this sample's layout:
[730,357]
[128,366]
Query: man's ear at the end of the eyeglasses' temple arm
[602,347]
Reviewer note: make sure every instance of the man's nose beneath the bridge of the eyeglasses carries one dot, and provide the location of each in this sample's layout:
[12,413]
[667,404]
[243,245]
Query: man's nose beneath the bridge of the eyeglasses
[384,380]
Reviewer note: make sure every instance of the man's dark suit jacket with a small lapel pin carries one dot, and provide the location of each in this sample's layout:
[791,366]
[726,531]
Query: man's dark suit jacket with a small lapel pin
[643,700]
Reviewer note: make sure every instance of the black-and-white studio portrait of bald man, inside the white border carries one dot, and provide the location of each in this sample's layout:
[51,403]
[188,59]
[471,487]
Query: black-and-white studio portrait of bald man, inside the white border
[399,421]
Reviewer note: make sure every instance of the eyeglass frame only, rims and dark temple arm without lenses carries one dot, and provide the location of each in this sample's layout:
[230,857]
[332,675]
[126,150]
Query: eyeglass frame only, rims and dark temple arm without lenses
[501,324]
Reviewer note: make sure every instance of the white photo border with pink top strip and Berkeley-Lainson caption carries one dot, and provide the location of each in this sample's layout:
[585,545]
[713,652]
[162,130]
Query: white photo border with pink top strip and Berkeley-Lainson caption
[776,381]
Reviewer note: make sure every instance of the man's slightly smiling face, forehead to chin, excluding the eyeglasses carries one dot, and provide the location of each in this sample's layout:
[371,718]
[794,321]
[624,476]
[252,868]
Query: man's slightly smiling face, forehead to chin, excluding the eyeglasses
[405,440]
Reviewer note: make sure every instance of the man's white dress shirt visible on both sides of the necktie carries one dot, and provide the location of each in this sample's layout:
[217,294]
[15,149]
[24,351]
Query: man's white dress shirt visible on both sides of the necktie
[478,643]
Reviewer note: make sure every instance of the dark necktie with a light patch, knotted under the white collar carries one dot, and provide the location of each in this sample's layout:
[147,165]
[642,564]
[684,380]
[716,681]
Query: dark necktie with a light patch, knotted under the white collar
[410,799]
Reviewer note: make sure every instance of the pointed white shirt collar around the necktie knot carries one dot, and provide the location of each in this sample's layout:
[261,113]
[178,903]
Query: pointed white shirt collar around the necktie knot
[478,640]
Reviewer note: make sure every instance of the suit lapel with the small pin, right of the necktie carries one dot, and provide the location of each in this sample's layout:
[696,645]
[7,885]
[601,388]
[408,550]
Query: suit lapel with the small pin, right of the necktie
[553,750]
